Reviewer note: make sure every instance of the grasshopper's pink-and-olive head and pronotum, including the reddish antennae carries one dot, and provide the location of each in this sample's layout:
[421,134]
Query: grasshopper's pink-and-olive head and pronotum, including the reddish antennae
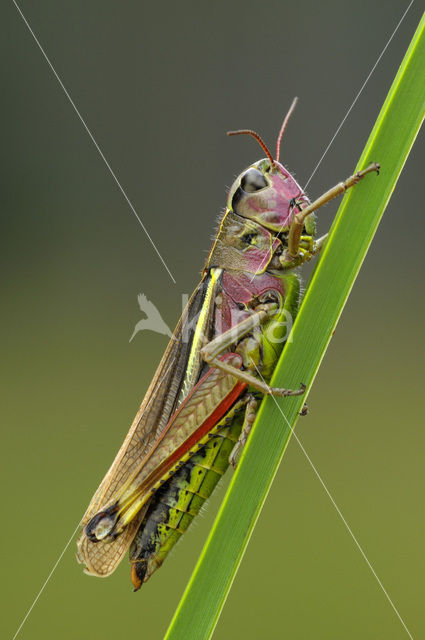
[262,204]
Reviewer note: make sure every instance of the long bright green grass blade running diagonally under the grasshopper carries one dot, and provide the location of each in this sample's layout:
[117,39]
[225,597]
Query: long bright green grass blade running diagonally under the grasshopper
[351,234]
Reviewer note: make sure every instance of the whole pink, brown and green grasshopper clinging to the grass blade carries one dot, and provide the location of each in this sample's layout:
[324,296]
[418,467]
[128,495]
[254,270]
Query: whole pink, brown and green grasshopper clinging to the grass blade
[201,404]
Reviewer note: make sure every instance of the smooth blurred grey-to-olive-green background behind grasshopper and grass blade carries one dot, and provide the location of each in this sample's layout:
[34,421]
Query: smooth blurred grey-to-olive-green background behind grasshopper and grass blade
[158,86]
